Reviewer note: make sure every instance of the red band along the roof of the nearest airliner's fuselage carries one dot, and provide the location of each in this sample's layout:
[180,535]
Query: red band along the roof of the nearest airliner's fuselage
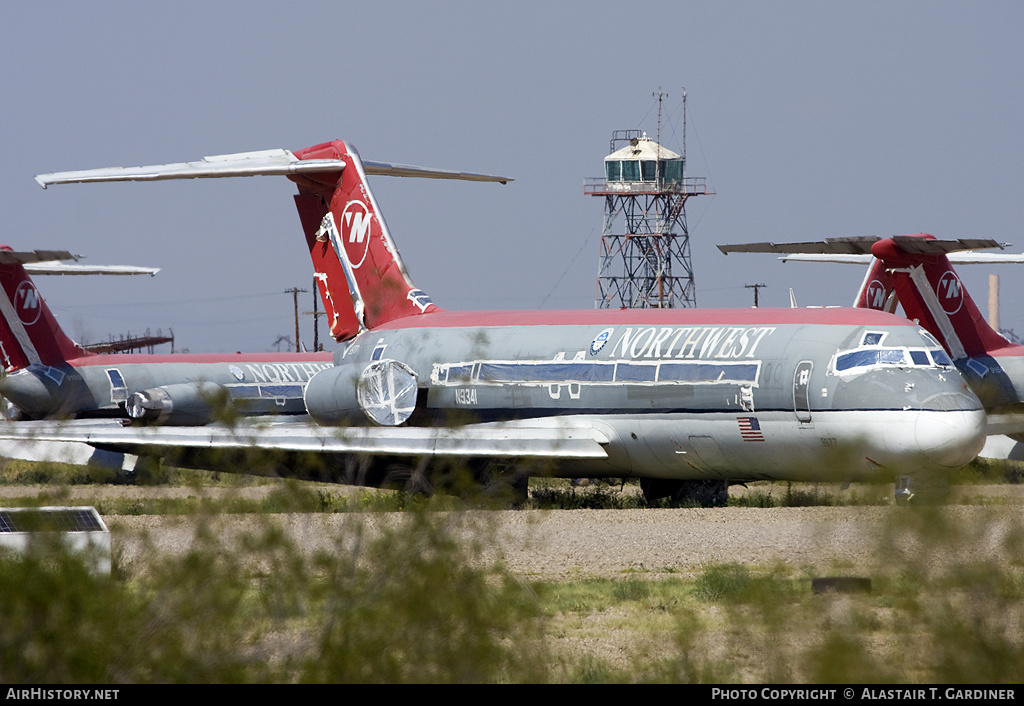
[653,317]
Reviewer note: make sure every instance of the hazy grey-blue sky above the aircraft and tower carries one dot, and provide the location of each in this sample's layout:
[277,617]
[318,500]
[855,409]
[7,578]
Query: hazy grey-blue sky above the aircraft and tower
[809,120]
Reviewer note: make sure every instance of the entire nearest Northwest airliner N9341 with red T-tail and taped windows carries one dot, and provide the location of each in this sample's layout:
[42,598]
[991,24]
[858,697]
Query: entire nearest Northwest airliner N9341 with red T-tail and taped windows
[687,400]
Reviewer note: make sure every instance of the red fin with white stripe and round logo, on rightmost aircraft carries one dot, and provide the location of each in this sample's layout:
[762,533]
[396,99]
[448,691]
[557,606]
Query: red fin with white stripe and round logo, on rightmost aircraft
[933,296]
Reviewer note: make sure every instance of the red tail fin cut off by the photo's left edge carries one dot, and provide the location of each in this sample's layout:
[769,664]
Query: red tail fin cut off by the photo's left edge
[29,334]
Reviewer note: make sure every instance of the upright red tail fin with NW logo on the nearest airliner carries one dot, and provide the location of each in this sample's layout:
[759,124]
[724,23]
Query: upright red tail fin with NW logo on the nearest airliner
[359,270]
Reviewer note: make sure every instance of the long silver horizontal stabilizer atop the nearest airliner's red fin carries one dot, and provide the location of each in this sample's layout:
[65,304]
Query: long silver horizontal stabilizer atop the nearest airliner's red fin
[269,162]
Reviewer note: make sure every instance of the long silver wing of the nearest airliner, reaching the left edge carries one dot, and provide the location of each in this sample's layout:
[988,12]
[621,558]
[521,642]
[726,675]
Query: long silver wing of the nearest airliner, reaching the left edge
[567,439]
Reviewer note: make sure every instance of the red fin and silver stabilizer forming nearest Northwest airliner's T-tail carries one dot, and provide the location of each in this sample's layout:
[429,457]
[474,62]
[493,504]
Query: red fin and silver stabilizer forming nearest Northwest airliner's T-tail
[360,275]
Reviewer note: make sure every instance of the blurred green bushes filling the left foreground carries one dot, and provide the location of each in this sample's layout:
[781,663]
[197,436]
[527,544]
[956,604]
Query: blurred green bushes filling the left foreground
[410,604]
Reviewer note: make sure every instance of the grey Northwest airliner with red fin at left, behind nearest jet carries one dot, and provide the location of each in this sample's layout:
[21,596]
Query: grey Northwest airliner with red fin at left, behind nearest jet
[48,376]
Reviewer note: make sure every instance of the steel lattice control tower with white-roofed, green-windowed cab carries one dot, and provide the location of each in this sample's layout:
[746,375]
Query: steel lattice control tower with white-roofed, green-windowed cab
[646,255]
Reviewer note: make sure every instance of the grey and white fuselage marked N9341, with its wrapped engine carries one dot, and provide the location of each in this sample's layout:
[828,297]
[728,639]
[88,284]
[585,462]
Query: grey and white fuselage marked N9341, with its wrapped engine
[684,394]
